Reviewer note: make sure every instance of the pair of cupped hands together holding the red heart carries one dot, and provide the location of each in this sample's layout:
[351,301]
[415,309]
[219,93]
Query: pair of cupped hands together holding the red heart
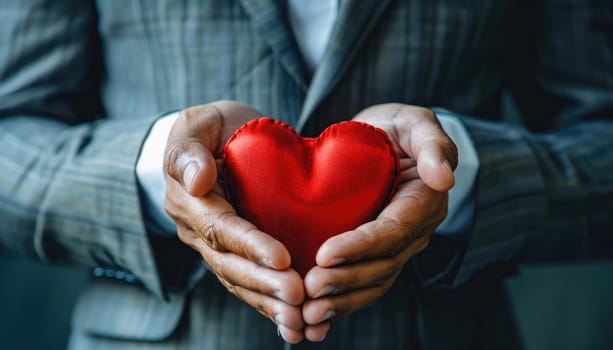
[355,268]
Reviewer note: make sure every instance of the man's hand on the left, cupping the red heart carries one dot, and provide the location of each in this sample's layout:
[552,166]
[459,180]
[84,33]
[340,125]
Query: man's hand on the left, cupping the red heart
[249,263]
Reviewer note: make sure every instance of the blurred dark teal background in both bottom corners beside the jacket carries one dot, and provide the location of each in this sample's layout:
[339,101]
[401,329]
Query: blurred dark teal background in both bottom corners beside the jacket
[566,306]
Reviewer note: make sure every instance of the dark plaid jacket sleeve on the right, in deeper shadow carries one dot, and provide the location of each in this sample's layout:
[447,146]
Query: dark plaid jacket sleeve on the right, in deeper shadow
[545,188]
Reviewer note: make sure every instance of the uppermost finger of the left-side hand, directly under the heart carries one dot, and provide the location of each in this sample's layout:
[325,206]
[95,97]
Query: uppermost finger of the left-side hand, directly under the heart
[217,224]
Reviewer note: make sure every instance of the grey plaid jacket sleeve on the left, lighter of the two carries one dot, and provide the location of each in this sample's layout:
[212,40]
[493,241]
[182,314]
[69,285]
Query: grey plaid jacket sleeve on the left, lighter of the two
[67,185]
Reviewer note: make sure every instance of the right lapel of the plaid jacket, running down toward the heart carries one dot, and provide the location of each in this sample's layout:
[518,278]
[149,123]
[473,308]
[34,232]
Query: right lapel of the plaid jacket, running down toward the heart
[356,19]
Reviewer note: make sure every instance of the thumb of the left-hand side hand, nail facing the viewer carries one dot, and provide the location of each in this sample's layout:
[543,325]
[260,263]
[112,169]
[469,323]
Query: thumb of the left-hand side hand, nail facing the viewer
[191,164]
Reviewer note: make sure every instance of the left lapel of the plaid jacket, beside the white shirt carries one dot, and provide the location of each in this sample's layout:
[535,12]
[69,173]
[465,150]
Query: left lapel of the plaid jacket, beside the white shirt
[271,23]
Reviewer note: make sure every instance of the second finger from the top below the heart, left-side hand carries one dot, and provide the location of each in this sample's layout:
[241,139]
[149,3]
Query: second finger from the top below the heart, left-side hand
[243,277]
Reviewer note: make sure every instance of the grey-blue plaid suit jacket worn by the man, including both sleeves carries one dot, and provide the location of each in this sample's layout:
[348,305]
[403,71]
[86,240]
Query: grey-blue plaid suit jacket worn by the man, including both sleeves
[81,82]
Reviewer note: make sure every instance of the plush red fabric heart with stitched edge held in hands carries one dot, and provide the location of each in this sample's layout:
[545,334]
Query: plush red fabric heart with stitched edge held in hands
[304,190]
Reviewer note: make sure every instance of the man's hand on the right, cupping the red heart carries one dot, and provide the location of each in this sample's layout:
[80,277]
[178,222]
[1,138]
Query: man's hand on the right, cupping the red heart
[354,269]
